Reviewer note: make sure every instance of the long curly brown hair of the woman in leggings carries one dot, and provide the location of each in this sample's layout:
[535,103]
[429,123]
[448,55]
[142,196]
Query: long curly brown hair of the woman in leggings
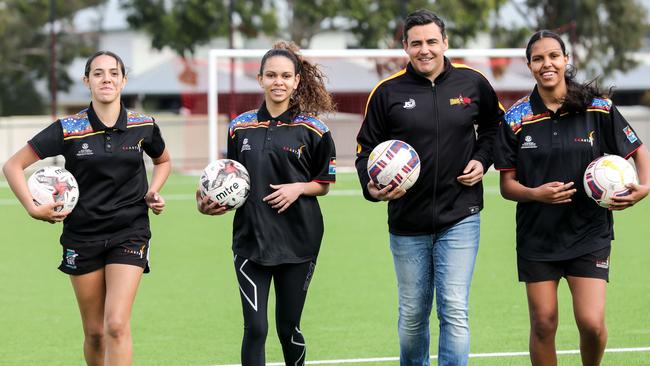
[311,97]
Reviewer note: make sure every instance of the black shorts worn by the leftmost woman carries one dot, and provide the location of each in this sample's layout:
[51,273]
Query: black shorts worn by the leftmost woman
[88,256]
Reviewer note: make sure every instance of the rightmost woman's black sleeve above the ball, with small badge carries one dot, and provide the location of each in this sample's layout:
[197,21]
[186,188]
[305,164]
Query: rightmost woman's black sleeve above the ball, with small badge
[618,136]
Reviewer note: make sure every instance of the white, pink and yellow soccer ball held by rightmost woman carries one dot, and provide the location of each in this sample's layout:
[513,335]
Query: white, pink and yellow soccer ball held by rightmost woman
[606,177]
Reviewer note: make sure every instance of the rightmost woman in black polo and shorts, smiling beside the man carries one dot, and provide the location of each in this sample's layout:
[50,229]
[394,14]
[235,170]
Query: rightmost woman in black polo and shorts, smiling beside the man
[543,149]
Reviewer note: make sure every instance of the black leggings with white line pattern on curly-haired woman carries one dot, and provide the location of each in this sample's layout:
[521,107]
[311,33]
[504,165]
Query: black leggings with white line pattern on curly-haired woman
[291,282]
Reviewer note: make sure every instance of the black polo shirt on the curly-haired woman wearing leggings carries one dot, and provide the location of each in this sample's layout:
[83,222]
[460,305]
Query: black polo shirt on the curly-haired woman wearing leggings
[278,150]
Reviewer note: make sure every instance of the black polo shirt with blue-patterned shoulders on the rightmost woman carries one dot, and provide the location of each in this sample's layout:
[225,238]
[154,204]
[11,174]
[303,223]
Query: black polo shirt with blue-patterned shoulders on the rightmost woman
[543,146]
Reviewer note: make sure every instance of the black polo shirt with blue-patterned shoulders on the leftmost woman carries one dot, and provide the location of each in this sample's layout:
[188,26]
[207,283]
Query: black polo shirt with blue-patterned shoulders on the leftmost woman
[107,163]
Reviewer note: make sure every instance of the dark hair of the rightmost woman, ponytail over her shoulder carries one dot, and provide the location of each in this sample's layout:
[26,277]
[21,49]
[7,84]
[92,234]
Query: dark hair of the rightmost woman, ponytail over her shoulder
[579,96]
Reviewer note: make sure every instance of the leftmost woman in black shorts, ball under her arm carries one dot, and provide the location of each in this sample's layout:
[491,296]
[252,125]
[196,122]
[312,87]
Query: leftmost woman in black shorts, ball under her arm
[105,239]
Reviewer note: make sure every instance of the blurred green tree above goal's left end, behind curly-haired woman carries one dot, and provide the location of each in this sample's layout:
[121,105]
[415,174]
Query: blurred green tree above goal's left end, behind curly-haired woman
[183,25]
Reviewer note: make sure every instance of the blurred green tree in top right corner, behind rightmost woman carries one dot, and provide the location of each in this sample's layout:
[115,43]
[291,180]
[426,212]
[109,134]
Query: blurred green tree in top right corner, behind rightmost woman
[605,33]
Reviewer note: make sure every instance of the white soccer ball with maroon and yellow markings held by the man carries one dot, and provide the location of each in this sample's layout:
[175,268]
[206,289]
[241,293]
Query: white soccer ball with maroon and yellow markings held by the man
[394,163]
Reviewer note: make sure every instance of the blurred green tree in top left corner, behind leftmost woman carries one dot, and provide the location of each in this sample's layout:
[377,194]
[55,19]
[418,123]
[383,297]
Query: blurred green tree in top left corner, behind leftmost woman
[25,50]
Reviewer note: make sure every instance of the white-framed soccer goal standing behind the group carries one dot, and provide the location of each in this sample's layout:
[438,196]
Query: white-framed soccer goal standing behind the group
[352,74]
